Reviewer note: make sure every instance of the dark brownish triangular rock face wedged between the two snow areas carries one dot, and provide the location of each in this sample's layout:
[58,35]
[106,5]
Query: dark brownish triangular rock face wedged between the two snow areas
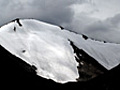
[88,67]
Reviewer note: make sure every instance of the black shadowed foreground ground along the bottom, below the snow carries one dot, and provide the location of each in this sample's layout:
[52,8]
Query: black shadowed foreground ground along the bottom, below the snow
[17,73]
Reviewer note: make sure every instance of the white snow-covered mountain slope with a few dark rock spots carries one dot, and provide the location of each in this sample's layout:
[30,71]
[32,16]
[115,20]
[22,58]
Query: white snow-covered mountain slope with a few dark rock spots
[47,47]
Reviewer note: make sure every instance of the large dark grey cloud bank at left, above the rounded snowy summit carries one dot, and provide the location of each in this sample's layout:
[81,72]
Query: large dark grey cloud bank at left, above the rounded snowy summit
[53,11]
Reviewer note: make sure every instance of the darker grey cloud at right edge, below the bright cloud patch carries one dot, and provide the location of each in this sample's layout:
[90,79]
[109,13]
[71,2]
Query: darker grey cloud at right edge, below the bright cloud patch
[112,23]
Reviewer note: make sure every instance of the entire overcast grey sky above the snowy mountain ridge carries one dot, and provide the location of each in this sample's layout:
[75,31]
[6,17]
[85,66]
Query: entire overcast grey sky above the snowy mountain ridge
[83,16]
